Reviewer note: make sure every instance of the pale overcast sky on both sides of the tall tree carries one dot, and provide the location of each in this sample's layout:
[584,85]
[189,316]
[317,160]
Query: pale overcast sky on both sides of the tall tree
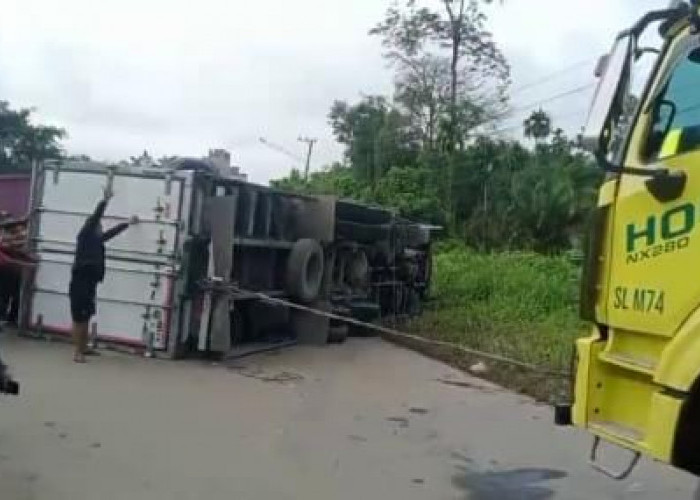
[179,77]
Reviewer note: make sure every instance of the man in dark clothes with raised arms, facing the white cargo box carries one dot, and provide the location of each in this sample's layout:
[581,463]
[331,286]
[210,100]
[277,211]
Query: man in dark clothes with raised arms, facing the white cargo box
[89,270]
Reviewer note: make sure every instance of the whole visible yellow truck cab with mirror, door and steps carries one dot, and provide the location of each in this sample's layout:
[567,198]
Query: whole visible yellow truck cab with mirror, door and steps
[637,374]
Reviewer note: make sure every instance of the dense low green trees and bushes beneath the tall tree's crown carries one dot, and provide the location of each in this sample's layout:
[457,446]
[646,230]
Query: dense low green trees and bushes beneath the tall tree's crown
[506,197]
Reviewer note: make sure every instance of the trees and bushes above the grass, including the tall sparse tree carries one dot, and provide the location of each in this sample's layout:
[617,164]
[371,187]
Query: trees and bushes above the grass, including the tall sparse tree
[431,150]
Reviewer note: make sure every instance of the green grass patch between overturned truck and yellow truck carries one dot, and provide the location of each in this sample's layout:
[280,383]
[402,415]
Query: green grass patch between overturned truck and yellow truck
[520,305]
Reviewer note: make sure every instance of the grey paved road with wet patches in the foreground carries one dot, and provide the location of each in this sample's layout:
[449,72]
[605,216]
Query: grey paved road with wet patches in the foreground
[365,420]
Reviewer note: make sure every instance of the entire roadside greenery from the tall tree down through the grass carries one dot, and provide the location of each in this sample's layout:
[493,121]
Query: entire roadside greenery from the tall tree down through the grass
[510,211]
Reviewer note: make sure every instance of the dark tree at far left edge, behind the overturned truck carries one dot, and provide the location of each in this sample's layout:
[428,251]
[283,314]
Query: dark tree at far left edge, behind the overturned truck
[22,142]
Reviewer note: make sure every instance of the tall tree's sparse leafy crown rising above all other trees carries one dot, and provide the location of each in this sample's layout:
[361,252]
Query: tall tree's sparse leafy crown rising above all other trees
[446,62]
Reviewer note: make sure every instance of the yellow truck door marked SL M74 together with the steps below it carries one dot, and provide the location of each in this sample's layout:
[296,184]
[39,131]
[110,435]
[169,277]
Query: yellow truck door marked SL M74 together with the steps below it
[654,262]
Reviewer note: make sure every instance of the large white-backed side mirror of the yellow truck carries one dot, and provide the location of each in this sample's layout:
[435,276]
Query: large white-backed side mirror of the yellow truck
[613,67]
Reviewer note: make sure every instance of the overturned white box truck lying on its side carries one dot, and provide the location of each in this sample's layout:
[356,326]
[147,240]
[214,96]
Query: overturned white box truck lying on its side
[202,232]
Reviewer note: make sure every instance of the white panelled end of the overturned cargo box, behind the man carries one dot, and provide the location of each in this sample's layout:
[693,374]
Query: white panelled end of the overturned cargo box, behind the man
[136,303]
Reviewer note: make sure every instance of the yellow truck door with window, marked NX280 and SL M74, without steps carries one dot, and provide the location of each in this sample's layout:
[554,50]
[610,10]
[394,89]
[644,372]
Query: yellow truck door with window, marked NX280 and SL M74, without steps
[655,239]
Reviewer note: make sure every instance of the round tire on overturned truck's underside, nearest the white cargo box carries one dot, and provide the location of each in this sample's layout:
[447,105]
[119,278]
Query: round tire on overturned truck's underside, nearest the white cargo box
[305,270]
